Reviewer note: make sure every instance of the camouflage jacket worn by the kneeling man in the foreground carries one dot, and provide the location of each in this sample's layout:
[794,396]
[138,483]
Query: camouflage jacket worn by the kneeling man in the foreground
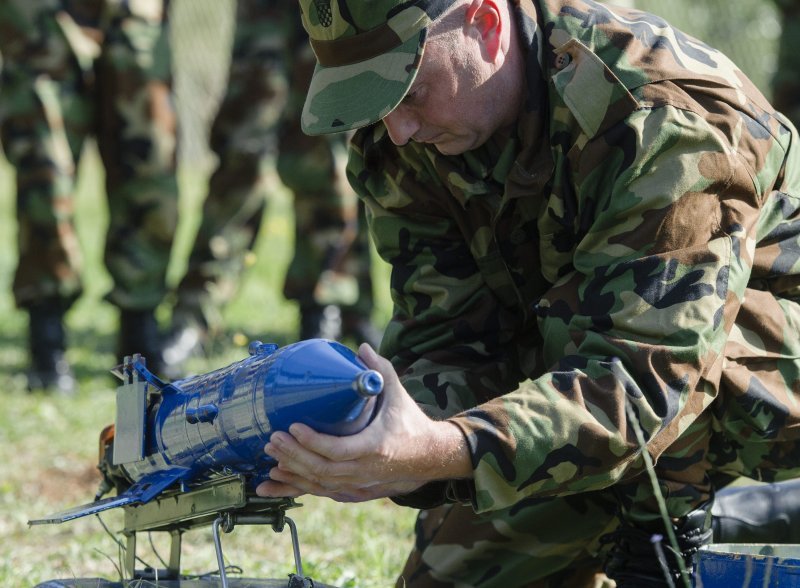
[598,260]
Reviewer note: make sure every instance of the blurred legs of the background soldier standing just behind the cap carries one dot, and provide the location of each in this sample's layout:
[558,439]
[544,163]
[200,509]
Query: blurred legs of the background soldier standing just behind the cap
[257,122]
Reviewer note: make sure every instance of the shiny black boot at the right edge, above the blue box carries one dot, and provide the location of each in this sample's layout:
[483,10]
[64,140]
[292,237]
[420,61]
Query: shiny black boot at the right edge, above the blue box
[758,513]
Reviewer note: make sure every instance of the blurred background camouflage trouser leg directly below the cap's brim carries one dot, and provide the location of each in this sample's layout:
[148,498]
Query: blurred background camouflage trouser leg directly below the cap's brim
[331,263]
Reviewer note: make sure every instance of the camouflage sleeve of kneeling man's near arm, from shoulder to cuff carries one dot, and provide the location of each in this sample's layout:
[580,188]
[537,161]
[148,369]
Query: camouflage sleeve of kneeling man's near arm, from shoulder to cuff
[641,320]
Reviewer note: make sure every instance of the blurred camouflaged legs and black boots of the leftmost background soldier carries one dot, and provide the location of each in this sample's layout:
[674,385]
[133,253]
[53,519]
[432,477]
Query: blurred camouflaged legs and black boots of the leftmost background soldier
[74,69]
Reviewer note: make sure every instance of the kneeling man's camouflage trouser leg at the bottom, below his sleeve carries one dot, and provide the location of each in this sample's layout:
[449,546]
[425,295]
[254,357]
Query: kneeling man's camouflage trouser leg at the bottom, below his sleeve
[538,543]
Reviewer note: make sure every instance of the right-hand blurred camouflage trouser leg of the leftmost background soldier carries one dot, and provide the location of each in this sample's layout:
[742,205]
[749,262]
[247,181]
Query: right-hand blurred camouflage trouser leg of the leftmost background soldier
[136,137]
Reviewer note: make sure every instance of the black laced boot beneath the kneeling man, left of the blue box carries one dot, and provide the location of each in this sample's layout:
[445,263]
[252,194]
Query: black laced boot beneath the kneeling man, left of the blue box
[642,558]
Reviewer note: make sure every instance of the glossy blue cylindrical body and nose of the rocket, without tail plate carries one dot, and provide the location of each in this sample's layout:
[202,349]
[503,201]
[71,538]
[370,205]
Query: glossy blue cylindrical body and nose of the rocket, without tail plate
[218,423]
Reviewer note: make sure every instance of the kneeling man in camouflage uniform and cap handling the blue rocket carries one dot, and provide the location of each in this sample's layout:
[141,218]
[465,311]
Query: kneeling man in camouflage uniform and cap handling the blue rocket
[592,220]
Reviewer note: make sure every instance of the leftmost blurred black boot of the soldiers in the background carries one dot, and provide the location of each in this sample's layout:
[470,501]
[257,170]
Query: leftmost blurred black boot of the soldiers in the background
[49,369]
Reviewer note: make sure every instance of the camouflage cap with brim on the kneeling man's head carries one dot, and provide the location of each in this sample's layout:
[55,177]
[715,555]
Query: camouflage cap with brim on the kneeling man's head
[368,52]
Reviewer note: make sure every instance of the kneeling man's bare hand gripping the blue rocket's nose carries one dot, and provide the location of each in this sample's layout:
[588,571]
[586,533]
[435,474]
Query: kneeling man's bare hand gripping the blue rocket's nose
[401,450]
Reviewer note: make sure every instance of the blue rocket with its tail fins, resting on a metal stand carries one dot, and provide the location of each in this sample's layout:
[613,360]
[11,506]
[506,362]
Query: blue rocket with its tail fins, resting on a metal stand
[216,424]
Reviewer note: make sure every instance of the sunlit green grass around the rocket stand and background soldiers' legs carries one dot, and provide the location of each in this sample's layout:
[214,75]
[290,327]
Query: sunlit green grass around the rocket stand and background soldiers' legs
[48,444]
